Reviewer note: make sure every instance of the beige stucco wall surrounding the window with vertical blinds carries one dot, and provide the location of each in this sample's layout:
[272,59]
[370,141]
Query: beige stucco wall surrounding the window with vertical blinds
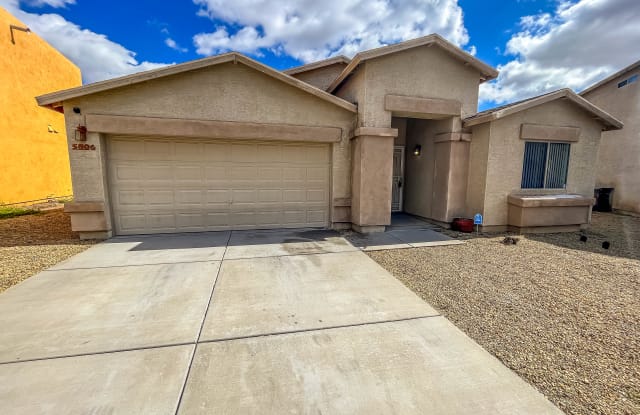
[506,155]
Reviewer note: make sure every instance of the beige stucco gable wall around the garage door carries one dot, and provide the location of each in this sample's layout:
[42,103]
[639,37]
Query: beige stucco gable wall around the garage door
[226,92]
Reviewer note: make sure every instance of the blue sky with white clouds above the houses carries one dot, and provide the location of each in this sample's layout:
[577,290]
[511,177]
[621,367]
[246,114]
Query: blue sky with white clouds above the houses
[537,45]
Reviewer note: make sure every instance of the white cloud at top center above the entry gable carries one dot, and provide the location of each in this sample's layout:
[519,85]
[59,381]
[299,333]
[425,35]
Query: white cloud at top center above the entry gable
[312,30]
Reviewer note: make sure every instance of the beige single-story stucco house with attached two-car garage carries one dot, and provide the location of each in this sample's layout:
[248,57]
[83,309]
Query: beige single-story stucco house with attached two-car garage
[228,143]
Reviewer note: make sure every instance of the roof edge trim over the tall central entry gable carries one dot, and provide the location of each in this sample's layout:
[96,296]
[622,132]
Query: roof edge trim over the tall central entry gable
[433,39]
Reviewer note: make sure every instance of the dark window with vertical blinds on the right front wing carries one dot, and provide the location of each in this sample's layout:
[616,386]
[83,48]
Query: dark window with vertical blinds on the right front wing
[545,165]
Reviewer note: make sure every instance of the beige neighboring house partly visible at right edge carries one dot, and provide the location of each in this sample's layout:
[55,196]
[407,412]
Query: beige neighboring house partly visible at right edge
[619,158]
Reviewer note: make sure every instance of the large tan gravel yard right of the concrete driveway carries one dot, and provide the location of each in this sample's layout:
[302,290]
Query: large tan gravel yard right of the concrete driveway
[562,313]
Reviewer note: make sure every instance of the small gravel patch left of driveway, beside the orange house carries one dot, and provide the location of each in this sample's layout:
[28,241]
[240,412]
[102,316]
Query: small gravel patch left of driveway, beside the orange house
[29,244]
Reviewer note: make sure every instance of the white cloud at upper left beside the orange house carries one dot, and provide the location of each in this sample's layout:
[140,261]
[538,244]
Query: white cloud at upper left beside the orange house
[97,57]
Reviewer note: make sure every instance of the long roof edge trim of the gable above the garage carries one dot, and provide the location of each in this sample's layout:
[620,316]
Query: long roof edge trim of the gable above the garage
[55,99]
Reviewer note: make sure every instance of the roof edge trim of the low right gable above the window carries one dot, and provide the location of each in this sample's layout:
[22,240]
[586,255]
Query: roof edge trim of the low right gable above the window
[609,121]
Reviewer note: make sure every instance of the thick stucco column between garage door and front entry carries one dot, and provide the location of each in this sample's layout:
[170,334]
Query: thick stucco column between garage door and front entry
[372,169]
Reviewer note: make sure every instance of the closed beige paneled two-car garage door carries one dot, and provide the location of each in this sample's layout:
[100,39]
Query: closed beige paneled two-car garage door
[162,185]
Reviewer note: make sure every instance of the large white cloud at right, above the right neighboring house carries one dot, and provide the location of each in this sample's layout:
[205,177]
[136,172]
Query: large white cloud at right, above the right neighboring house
[575,46]
